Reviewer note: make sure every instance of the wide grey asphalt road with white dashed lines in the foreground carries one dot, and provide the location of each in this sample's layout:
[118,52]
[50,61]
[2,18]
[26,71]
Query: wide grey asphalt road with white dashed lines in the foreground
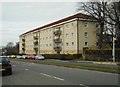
[38,74]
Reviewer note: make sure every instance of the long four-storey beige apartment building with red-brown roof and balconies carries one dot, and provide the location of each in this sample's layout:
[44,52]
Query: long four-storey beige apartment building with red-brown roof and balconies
[66,36]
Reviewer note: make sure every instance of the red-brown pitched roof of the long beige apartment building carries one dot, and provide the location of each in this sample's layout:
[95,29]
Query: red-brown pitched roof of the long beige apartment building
[78,15]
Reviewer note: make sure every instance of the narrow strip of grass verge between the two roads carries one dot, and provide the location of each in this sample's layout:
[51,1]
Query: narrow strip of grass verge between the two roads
[78,66]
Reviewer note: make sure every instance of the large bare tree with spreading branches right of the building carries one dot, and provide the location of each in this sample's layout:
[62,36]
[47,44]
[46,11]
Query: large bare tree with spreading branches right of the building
[107,15]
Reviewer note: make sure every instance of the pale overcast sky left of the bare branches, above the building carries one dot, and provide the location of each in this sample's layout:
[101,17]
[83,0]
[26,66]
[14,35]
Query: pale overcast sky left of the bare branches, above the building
[20,17]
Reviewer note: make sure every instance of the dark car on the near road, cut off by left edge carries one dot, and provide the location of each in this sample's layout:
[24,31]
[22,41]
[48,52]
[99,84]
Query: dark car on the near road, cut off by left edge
[5,65]
